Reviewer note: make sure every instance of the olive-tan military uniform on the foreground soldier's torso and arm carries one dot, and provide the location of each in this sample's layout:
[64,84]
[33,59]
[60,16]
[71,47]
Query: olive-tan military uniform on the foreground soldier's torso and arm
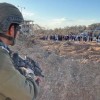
[13,85]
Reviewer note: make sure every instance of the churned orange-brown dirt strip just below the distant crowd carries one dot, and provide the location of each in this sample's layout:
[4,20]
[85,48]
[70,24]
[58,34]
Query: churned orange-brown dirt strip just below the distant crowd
[78,50]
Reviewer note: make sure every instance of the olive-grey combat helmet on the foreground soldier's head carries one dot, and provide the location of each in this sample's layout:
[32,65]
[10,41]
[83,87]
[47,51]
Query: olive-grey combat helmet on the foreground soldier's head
[9,14]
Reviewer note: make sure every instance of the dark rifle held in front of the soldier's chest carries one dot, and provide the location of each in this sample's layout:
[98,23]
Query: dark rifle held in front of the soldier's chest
[19,62]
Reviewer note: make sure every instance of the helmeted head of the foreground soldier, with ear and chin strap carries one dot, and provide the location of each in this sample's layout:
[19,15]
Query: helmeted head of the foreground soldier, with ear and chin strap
[10,20]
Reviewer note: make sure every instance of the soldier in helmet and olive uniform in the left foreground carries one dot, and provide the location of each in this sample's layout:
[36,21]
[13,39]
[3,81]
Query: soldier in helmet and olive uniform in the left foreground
[13,85]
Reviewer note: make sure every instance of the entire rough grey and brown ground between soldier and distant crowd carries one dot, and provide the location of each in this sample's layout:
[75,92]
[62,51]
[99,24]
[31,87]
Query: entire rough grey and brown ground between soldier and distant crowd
[71,69]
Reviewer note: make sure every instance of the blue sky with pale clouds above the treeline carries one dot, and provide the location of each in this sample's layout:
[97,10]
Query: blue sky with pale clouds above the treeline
[59,13]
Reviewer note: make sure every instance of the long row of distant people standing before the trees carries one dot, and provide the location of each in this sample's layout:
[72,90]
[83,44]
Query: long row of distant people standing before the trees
[86,36]
